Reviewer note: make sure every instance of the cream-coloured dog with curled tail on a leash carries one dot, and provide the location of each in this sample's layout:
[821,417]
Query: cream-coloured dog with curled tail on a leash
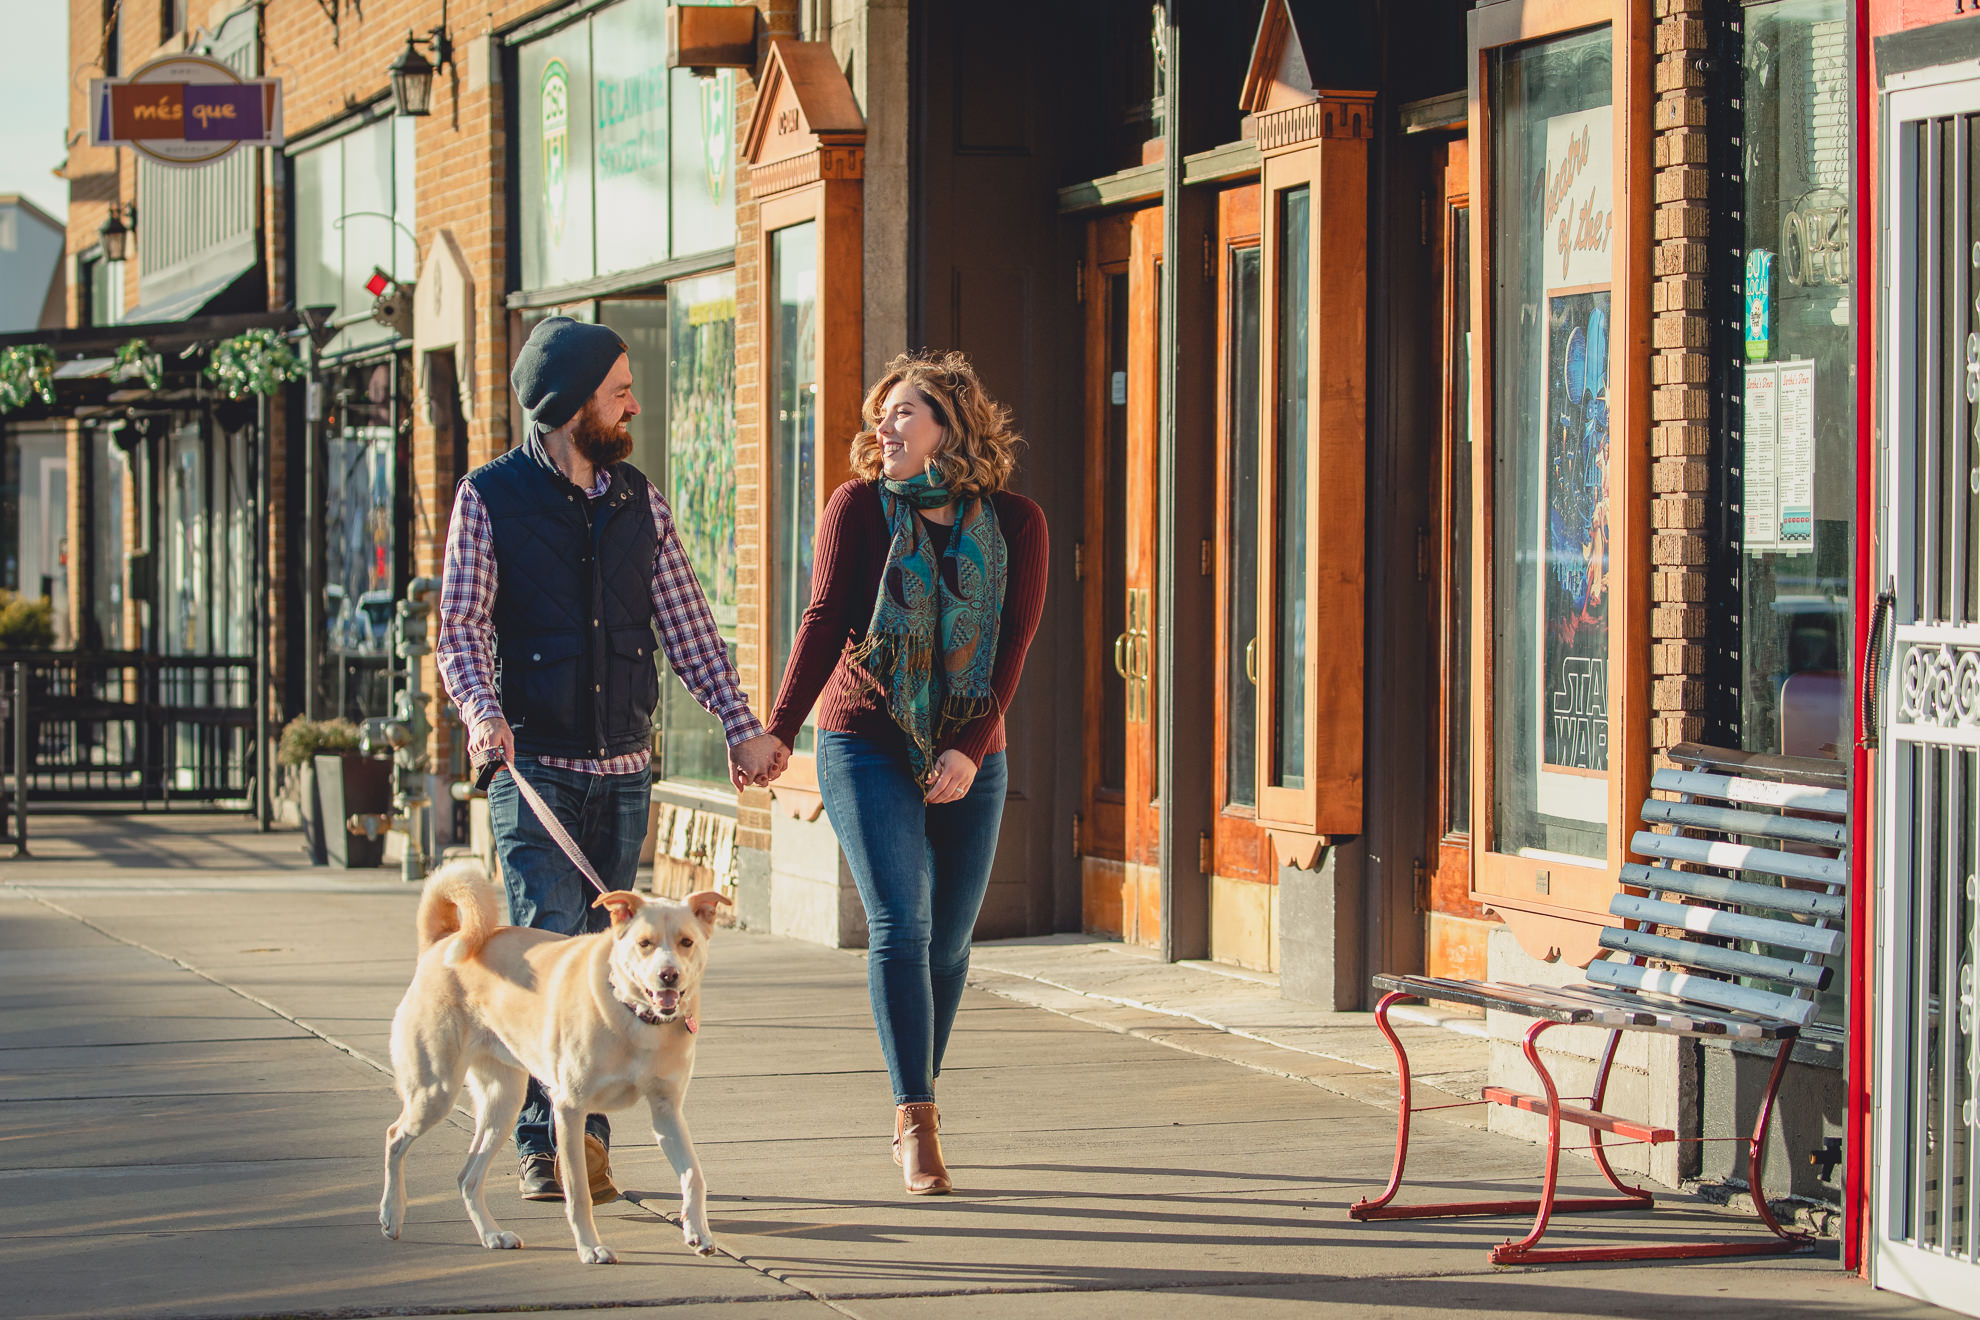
[601,1020]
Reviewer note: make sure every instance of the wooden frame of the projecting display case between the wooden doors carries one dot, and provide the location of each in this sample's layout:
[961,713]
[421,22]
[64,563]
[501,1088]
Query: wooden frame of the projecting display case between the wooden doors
[1332,161]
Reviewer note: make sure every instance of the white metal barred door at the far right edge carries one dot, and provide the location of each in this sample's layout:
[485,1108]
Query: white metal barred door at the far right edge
[1928,1097]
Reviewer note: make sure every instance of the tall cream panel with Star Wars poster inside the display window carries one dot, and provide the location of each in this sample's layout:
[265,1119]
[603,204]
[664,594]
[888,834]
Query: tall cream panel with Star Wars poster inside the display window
[1579,221]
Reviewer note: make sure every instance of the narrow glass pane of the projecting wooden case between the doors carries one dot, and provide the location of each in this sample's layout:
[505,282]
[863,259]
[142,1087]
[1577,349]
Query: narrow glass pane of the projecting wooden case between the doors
[1290,664]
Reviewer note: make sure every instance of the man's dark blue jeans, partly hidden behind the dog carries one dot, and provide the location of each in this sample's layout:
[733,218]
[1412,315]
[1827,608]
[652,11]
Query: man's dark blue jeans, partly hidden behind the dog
[607,814]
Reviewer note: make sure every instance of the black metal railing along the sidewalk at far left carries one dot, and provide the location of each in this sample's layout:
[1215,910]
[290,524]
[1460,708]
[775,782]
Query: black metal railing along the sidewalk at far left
[126,729]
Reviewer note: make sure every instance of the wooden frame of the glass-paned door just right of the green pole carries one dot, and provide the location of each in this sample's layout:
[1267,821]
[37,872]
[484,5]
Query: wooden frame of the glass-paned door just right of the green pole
[1240,848]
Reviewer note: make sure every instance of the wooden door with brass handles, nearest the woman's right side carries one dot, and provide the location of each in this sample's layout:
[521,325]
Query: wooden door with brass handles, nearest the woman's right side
[1118,846]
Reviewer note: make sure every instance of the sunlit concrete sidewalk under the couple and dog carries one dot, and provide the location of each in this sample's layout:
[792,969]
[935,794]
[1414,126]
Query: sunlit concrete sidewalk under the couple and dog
[193,1101]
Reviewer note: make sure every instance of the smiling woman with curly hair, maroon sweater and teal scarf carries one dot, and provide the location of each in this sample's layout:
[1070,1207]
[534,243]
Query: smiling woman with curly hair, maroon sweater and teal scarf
[928,587]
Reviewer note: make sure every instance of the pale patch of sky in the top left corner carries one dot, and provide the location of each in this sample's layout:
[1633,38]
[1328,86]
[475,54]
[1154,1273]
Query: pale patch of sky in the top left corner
[35,102]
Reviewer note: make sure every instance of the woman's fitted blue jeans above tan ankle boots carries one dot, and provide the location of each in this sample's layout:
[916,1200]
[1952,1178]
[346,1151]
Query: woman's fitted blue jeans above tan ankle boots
[922,874]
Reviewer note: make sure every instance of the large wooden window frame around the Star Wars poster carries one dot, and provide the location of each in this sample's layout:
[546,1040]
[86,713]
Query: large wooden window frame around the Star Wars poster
[1557,909]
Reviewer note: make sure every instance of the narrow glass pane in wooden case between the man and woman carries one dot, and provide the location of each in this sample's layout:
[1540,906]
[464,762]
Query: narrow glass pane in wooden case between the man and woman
[795,456]
